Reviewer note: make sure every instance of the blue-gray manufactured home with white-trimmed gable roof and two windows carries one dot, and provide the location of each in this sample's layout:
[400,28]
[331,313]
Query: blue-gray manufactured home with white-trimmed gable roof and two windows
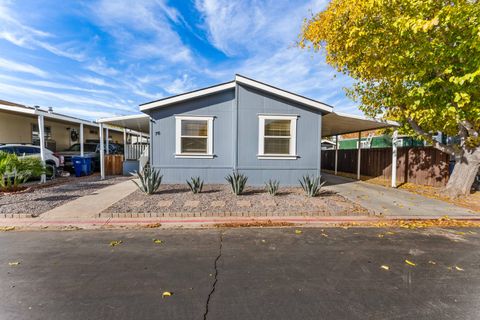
[259,130]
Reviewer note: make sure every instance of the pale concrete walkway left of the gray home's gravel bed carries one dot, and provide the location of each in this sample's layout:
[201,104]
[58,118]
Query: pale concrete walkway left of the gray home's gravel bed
[91,205]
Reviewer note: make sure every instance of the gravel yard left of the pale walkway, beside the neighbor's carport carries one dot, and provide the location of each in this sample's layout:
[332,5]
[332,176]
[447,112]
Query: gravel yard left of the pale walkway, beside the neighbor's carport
[42,199]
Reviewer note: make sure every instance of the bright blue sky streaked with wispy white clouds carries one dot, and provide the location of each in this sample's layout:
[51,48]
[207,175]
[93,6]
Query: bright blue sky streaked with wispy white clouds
[96,59]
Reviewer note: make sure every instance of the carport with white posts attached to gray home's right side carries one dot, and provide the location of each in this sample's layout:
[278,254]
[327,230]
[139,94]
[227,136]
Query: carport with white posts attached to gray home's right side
[336,123]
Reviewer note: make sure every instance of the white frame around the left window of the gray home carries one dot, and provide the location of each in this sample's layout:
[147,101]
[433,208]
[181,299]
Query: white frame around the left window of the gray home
[178,137]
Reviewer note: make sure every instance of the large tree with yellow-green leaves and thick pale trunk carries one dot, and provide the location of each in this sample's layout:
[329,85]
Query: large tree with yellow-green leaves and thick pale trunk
[414,61]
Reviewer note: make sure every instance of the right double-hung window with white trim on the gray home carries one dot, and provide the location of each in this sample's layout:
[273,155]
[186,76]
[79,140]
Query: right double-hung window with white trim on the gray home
[277,137]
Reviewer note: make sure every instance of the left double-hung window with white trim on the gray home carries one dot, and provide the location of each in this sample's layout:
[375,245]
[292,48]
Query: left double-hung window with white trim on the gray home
[194,137]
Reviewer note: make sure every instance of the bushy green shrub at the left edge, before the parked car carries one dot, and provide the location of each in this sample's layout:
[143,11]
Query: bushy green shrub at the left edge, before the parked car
[14,170]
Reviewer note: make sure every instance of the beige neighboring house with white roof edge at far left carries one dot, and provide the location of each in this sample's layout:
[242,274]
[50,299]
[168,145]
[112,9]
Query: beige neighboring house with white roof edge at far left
[19,124]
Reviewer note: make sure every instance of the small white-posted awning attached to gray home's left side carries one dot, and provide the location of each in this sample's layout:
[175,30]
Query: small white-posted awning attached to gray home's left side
[136,155]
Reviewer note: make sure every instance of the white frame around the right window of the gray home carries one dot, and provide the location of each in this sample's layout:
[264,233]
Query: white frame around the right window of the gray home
[293,137]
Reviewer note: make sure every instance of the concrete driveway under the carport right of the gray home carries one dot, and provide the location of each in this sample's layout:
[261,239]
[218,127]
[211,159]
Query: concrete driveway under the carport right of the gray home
[392,202]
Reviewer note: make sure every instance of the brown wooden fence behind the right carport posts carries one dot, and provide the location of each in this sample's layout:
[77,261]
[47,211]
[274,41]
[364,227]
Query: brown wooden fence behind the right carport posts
[419,165]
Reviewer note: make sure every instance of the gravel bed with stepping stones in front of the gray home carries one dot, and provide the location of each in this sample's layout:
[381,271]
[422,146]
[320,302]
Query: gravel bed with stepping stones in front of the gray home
[218,200]
